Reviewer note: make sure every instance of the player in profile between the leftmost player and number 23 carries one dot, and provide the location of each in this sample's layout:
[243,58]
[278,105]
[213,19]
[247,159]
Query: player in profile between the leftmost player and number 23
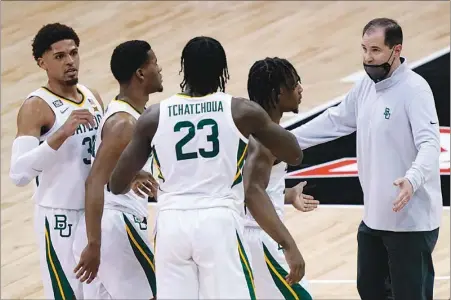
[116,225]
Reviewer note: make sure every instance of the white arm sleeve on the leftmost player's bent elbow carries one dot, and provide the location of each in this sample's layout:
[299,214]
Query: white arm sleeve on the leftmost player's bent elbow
[28,159]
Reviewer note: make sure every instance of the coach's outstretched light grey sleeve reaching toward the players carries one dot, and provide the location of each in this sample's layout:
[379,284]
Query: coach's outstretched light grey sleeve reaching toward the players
[333,123]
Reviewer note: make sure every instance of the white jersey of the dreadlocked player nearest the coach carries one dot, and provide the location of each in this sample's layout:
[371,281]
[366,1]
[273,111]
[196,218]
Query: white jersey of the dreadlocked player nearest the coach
[275,190]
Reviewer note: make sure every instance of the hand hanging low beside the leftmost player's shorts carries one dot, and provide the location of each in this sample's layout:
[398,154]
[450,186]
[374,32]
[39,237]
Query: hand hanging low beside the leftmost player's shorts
[88,266]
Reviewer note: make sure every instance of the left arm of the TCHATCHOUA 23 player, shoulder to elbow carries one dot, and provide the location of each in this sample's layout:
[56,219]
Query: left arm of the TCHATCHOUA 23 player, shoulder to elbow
[135,155]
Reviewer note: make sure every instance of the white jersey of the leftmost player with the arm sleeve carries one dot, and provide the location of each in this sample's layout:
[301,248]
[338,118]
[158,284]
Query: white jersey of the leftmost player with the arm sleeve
[63,184]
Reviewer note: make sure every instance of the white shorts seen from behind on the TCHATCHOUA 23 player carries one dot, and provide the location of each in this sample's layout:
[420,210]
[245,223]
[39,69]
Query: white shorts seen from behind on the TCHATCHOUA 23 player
[200,254]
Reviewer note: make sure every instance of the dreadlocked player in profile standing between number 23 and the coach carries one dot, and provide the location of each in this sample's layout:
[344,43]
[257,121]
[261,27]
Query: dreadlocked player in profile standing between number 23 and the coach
[274,84]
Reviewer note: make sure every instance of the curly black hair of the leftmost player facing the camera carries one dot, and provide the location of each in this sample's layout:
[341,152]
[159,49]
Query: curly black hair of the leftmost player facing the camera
[50,34]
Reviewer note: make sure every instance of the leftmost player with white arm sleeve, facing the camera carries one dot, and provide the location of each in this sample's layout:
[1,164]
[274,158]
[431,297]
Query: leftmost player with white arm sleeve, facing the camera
[56,130]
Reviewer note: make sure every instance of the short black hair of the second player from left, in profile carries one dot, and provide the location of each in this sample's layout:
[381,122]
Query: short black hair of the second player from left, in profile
[128,57]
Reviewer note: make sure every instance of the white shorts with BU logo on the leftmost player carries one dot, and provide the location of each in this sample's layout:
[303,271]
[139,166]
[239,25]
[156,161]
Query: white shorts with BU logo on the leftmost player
[55,230]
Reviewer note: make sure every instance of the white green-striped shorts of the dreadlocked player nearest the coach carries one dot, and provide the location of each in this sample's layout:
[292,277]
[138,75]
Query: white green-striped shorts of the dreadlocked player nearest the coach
[270,268]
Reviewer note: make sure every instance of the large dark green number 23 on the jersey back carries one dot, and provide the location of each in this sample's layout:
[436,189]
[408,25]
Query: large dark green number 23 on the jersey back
[212,138]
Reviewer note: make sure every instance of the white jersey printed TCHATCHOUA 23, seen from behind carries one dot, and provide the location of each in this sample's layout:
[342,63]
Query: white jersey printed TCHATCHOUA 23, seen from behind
[199,153]
